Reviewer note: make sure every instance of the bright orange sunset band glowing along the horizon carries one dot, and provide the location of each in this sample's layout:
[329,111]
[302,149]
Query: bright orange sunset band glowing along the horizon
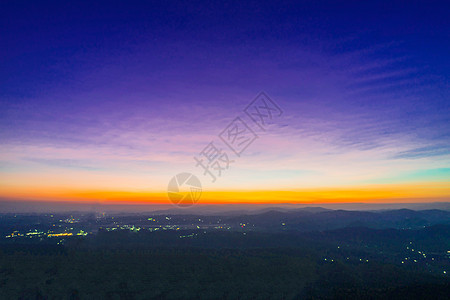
[438,191]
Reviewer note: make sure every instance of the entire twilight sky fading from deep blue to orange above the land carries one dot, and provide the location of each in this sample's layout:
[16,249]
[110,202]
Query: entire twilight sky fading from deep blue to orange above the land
[109,100]
